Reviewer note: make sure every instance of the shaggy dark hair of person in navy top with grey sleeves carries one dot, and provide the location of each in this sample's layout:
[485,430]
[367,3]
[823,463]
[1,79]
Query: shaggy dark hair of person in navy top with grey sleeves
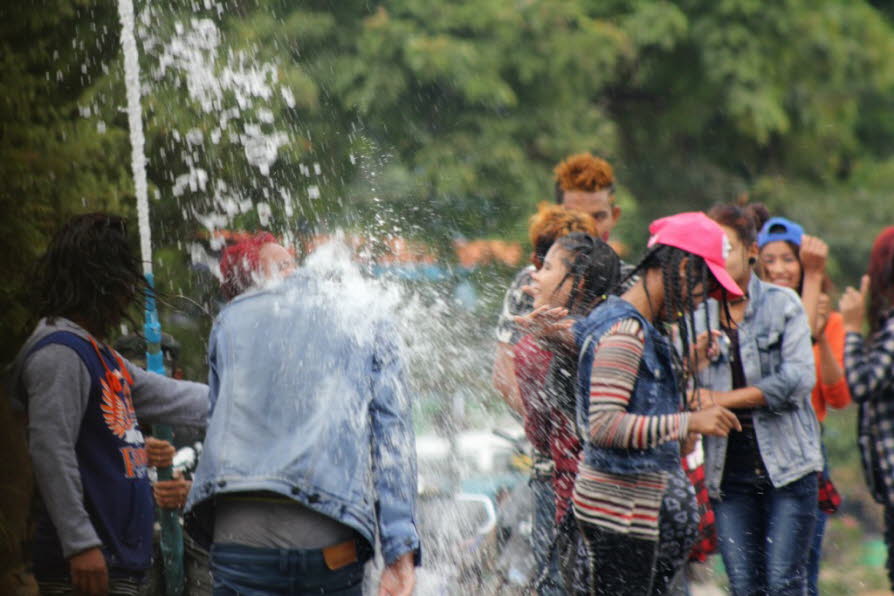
[90,273]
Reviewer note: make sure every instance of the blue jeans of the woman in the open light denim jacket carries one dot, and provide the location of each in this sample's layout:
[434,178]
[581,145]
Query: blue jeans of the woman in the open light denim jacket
[765,533]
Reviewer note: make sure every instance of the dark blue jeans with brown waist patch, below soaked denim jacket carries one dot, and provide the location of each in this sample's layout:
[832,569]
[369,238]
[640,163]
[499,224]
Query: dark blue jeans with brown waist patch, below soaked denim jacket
[248,571]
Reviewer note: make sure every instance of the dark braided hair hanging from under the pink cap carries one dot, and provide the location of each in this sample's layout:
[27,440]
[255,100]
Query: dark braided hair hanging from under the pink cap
[679,297]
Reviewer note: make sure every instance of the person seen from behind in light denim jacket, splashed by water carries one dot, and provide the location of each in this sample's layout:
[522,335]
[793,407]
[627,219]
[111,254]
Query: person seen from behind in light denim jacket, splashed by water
[309,459]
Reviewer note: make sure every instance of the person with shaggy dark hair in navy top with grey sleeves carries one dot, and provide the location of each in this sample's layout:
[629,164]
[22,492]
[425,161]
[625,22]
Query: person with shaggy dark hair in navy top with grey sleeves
[82,400]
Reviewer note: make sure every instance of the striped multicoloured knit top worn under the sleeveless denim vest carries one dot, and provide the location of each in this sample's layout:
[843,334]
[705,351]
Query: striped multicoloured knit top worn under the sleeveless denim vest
[623,503]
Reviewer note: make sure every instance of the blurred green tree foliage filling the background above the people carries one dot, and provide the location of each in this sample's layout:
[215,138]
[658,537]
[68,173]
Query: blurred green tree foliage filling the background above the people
[444,118]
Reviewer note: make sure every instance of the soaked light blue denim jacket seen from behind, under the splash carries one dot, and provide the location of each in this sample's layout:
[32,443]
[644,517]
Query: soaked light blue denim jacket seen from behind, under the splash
[308,401]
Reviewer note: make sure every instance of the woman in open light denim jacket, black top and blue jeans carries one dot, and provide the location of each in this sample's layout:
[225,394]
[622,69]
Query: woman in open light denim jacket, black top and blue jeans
[762,480]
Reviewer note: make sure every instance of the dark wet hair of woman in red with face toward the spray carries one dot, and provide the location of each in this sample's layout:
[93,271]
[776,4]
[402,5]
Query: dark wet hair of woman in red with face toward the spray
[593,267]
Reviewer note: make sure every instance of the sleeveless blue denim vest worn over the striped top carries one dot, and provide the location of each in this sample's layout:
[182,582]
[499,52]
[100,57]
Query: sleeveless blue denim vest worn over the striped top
[655,393]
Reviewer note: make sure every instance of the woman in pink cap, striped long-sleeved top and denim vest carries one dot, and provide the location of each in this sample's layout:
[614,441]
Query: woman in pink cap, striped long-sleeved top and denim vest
[630,402]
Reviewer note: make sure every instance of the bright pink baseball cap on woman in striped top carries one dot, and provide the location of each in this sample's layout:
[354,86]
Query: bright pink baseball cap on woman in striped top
[700,235]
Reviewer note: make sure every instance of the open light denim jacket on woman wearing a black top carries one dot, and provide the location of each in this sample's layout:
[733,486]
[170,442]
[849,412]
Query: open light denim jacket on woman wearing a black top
[774,343]
